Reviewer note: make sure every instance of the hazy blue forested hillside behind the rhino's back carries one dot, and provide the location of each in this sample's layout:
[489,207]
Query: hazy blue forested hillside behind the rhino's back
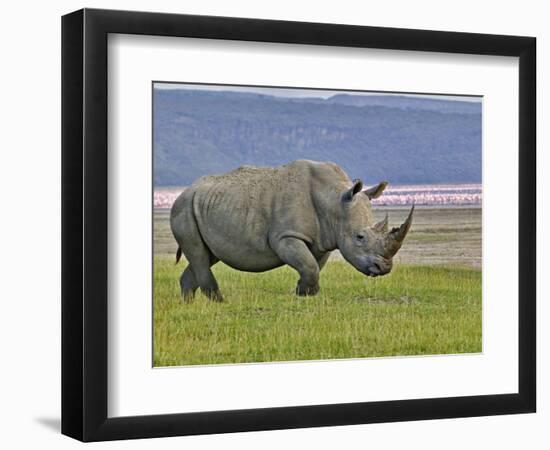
[406,140]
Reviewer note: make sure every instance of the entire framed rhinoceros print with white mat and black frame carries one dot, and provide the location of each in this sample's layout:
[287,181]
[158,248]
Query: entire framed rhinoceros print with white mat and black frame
[273,224]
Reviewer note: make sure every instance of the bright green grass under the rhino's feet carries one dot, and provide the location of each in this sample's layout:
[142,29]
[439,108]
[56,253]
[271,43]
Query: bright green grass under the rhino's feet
[415,310]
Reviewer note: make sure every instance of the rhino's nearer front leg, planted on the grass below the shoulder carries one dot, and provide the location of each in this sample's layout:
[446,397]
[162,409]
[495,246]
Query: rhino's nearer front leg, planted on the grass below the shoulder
[297,255]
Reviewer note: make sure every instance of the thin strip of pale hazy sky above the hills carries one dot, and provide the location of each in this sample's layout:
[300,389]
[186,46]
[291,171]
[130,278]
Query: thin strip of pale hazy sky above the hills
[319,93]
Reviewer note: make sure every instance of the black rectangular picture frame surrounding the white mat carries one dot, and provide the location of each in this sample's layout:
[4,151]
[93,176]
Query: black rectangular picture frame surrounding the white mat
[84,224]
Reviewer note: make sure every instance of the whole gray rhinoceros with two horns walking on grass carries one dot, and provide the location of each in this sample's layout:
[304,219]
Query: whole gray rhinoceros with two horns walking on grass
[256,219]
